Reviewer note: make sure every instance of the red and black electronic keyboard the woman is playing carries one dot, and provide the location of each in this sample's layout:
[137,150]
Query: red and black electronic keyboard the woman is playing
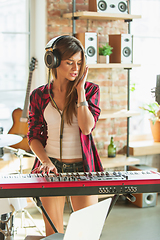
[71,184]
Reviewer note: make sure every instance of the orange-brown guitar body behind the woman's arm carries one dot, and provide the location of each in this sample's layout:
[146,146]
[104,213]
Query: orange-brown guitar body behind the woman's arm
[20,128]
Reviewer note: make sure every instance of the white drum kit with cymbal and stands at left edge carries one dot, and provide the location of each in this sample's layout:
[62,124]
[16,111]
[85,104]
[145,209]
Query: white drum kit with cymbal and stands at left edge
[11,205]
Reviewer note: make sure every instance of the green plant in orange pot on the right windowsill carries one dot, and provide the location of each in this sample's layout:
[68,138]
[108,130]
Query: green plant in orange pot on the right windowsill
[154,110]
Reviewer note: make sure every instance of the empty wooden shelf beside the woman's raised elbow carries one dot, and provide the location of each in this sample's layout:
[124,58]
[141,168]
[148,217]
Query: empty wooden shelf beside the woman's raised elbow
[117,114]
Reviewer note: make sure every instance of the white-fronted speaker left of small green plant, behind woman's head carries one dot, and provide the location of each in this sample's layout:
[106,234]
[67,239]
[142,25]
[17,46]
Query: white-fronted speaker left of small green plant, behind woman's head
[89,41]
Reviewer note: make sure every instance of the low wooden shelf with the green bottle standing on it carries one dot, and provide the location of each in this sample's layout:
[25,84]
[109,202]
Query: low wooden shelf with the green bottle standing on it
[118,161]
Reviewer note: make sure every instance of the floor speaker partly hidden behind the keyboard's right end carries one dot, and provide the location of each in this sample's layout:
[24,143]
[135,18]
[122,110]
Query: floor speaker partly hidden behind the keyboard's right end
[144,199]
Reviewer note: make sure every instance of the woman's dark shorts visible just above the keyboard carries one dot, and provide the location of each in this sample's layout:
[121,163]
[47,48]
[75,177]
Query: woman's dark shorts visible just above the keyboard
[67,167]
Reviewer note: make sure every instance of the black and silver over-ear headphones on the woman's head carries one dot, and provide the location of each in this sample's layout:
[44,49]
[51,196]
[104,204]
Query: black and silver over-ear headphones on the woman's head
[52,56]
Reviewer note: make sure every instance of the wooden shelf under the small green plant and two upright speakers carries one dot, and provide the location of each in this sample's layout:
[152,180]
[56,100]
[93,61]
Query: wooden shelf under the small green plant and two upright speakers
[113,65]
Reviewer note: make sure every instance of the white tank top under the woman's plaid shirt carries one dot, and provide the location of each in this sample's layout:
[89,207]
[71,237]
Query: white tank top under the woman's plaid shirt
[71,145]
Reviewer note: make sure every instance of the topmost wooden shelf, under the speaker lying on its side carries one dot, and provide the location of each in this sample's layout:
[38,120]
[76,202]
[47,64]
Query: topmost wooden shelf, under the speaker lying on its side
[101,16]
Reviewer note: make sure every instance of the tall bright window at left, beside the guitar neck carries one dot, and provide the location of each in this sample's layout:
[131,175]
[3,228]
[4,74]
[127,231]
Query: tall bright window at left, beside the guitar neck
[14,49]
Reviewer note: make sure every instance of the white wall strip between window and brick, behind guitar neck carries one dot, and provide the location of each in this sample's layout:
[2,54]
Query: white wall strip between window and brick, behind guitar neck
[38,40]
